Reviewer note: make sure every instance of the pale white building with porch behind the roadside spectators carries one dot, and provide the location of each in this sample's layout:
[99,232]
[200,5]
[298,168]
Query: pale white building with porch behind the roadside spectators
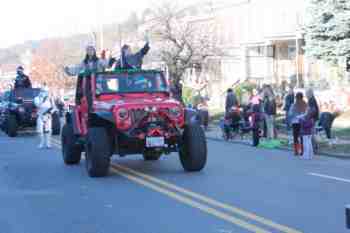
[263,41]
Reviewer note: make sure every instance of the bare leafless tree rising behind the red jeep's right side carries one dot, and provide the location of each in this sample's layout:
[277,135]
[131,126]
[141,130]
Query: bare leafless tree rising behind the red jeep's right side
[184,39]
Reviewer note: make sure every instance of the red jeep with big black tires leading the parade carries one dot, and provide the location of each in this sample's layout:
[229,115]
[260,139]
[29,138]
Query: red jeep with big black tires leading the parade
[129,112]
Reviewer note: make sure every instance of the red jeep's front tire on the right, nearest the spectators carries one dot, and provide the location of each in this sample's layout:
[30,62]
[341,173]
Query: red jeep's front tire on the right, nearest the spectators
[193,151]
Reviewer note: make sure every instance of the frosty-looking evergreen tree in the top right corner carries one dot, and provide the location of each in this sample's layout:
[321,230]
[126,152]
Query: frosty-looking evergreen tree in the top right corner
[328,30]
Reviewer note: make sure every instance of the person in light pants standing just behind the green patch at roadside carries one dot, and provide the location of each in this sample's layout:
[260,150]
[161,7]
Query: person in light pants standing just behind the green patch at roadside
[270,110]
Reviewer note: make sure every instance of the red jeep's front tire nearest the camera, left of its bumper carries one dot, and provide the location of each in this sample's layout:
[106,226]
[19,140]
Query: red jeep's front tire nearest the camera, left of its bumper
[98,152]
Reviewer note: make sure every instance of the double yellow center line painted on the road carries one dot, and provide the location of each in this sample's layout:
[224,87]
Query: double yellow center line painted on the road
[128,172]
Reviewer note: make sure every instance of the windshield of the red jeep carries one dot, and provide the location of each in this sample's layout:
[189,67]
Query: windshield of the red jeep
[130,83]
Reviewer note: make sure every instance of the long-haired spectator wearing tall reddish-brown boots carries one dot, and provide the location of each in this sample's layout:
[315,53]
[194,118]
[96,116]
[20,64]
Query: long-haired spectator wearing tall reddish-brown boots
[295,111]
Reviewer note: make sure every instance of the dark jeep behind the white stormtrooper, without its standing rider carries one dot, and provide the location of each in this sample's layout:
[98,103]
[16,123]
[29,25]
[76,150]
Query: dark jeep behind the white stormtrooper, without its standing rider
[19,112]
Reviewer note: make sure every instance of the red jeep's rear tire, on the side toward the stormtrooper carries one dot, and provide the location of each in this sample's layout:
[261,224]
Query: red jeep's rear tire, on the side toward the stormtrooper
[71,152]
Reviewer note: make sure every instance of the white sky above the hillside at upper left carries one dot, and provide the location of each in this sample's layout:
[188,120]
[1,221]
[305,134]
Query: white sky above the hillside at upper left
[22,20]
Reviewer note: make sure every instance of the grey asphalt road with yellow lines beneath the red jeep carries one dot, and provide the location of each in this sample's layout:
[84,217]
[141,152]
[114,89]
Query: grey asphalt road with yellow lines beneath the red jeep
[242,189]
